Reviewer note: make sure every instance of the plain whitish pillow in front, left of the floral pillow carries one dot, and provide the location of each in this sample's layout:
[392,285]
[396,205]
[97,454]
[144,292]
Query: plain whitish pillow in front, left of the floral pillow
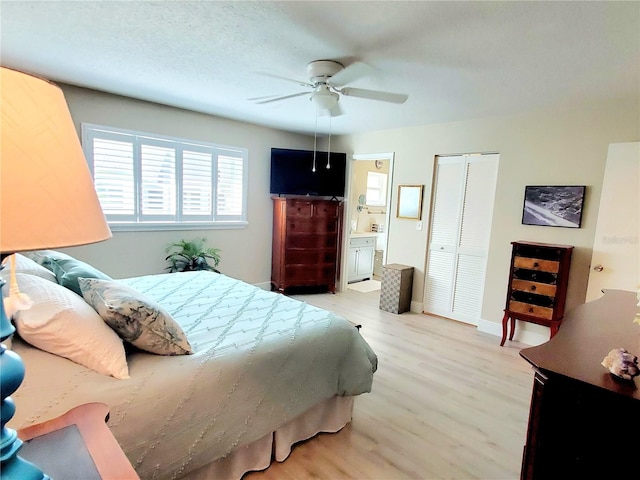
[62,323]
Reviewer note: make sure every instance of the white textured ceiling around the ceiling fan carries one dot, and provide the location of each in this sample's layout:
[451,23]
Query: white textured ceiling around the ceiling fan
[455,60]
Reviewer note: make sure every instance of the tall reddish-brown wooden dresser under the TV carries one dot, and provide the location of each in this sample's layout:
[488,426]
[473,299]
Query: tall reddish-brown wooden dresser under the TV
[306,241]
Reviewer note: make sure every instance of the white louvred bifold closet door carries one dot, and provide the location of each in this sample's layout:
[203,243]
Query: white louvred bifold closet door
[462,211]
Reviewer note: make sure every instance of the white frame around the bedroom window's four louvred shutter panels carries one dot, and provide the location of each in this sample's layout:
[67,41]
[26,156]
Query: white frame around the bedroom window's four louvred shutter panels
[180,221]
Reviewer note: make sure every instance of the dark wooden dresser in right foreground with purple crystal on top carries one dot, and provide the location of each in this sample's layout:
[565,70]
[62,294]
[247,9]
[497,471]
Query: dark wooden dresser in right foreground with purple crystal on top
[583,421]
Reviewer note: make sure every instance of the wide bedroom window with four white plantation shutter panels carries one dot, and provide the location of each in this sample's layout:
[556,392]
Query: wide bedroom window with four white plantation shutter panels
[150,181]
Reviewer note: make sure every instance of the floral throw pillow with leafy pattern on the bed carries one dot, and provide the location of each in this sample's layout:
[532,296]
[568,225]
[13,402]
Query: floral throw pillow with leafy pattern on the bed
[137,319]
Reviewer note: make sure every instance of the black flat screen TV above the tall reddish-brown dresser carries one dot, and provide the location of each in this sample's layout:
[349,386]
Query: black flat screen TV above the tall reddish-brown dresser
[292,173]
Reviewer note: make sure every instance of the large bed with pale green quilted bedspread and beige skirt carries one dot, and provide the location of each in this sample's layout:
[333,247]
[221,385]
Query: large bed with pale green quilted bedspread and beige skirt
[264,372]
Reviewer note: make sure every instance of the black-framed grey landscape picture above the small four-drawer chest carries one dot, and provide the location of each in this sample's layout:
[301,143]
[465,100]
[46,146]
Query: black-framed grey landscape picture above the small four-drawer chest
[553,206]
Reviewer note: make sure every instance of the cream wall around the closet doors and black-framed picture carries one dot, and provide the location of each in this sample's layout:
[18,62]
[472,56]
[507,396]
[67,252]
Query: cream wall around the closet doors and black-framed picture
[548,147]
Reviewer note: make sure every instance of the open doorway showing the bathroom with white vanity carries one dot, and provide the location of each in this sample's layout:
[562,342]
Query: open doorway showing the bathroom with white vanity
[366,226]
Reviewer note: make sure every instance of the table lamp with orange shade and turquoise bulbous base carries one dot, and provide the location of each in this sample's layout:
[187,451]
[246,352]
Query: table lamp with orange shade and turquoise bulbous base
[47,200]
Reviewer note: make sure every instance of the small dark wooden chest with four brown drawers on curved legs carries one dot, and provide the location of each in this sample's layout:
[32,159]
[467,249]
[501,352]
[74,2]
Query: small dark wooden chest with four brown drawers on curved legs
[538,281]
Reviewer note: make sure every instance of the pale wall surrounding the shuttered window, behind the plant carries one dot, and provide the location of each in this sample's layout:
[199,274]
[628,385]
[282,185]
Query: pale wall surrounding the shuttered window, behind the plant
[246,253]
